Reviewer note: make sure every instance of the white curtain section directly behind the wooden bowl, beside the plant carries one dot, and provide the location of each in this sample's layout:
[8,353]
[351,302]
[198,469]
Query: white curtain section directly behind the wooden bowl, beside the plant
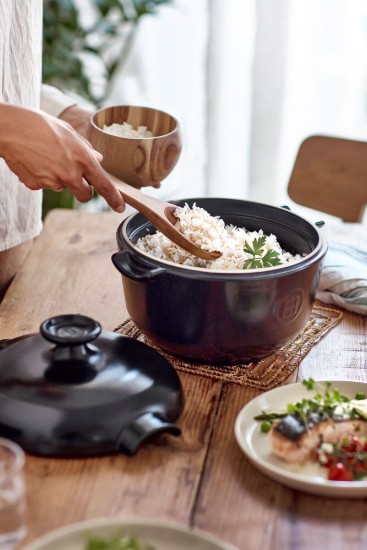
[167,69]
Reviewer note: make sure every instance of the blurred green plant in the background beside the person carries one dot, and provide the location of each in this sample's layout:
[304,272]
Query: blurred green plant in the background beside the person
[82,57]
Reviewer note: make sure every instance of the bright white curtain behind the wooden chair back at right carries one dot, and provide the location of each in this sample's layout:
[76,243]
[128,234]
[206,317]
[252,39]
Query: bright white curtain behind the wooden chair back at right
[326,77]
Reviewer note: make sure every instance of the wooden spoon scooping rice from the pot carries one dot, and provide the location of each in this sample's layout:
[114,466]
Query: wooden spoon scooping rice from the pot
[161,215]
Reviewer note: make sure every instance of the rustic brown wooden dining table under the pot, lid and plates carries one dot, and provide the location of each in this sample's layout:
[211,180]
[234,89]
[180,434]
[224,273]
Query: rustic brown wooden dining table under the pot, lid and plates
[202,478]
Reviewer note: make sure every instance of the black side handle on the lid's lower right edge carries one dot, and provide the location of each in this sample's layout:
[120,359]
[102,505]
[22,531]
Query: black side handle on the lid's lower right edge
[142,428]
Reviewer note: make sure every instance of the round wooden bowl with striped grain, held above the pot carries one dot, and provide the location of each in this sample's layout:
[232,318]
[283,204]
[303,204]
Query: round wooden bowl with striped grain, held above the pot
[139,161]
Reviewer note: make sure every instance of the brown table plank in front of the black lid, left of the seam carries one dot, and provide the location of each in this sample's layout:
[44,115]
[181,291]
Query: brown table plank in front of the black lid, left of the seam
[160,482]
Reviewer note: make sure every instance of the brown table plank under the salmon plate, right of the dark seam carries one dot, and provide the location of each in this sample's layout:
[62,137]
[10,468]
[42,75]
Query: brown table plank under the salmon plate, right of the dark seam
[255,511]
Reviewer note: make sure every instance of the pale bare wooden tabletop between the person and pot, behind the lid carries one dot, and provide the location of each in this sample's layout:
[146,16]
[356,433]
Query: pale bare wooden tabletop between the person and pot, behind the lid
[69,271]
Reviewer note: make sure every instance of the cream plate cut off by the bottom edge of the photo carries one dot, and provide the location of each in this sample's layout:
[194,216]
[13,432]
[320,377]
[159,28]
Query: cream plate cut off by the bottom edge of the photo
[161,535]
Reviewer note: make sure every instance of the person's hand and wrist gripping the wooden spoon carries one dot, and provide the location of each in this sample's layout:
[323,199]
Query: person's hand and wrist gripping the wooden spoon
[47,153]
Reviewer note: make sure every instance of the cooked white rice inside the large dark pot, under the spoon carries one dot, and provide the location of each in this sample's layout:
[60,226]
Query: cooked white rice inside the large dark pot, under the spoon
[209,233]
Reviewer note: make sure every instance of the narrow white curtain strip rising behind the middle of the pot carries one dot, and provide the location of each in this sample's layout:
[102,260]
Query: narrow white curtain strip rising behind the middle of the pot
[229,68]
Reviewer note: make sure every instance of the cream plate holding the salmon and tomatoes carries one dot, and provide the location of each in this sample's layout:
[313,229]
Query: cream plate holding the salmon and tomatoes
[310,477]
